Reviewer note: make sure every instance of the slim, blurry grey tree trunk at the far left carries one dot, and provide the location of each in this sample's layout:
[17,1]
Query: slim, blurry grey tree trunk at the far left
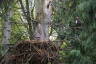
[7,29]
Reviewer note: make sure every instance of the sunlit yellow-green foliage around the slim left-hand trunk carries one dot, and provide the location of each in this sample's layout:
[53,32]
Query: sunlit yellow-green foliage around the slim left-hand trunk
[18,27]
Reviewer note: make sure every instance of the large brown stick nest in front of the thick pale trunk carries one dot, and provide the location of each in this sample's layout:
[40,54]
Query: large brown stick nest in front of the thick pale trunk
[32,52]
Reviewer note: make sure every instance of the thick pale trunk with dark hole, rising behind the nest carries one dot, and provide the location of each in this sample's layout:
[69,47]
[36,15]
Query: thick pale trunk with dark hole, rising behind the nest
[43,16]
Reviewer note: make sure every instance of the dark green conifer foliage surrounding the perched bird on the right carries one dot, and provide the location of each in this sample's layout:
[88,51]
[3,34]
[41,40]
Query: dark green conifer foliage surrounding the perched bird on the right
[82,41]
